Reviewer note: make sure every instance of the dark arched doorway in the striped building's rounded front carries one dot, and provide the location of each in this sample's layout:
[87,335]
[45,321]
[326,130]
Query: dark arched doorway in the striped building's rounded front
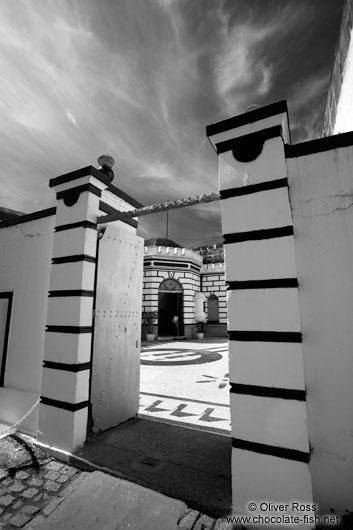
[170,304]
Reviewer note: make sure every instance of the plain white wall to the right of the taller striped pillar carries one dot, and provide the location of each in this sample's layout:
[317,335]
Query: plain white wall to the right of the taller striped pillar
[321,193]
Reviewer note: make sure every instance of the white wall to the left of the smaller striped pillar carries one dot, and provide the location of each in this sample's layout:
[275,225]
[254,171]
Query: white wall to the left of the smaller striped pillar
[24,269]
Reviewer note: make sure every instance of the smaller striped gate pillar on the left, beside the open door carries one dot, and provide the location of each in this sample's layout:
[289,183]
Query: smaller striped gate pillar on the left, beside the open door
[64,400]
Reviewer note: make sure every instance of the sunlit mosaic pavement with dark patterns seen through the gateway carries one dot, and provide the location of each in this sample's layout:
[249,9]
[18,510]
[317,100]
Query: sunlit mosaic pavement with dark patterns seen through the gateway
[186,382]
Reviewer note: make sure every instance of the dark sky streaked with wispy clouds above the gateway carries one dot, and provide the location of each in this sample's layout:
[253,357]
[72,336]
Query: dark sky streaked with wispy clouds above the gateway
[140,80]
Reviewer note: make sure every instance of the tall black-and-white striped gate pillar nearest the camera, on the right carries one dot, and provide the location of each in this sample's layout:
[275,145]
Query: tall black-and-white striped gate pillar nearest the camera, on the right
[268,400]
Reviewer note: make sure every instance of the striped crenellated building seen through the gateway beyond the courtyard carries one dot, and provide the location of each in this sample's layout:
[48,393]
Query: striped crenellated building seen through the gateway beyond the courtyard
[182,282]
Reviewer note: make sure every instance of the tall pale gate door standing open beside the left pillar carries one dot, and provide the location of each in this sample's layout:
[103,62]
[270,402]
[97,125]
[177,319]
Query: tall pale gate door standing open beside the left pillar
[117,328]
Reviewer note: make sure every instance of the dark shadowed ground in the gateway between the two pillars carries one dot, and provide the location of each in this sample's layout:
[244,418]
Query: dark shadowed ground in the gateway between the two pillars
[191,465]
